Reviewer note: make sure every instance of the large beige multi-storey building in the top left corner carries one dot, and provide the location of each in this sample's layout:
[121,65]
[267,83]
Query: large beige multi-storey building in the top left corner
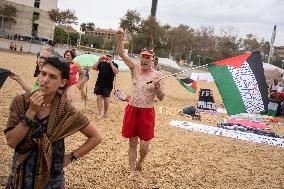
[32,20]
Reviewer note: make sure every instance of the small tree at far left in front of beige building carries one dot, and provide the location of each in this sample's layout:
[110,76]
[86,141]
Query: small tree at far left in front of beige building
[8,14]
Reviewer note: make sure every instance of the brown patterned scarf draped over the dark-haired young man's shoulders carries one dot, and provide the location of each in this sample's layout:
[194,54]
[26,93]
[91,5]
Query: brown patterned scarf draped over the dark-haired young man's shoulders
[64,120]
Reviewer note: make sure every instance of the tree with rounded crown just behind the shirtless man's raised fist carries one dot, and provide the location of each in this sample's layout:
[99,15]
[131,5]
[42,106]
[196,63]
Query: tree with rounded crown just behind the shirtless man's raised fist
[131,23]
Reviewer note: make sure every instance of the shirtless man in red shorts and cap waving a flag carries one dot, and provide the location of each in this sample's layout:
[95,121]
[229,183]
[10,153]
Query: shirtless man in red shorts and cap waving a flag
[139,117]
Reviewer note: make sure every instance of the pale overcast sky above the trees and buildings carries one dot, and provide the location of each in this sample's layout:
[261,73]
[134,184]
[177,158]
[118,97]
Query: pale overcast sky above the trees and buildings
[248,16]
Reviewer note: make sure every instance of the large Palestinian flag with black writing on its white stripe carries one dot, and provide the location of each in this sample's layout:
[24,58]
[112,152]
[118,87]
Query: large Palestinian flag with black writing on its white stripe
[241,83]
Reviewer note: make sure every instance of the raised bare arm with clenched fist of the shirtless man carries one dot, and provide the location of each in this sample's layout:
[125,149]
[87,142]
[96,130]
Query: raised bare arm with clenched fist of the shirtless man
[120,49]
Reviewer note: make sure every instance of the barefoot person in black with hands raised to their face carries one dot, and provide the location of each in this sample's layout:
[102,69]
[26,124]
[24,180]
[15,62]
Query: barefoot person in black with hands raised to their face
[104,84]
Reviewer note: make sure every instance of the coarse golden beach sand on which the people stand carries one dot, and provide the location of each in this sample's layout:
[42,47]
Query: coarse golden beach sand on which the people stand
[178,158]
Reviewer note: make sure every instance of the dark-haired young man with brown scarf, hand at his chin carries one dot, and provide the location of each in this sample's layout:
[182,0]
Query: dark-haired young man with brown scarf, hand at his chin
[37,125]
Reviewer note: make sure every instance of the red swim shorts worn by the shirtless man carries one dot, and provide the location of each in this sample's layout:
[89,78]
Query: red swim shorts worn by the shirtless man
[138,122]
